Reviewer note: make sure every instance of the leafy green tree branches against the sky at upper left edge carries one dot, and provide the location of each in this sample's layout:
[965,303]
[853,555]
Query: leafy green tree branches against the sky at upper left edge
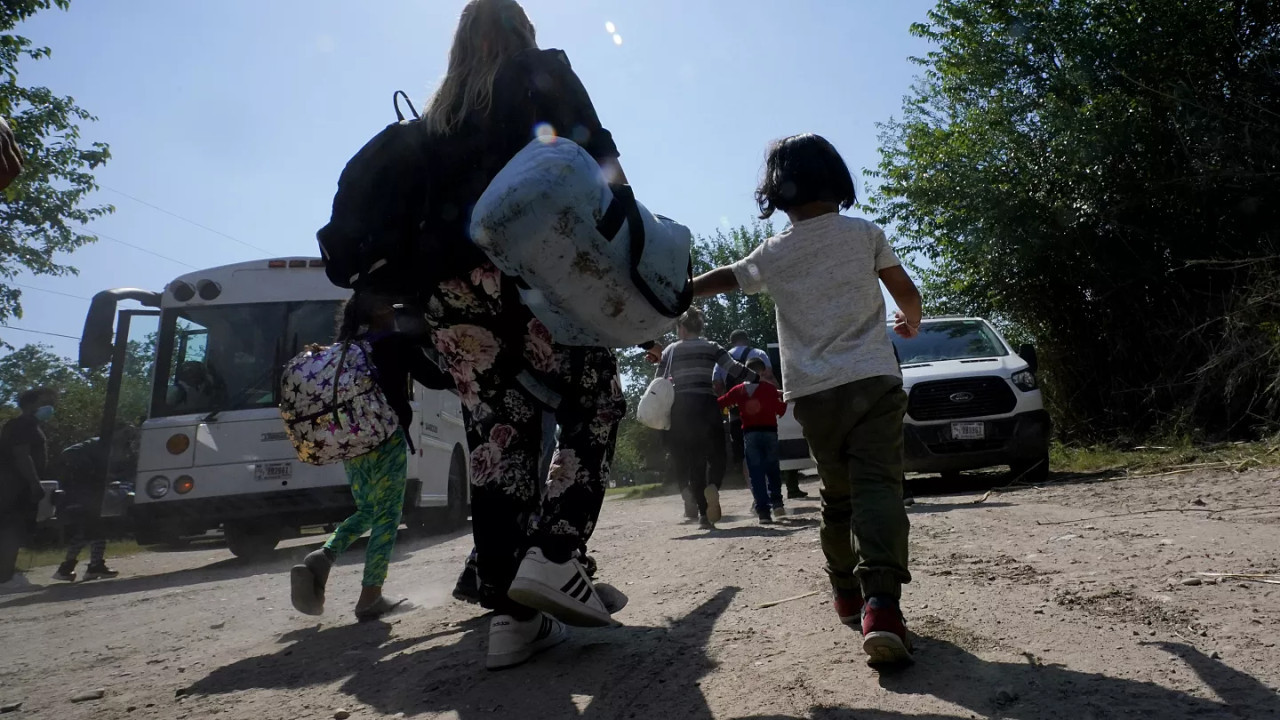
[43,211]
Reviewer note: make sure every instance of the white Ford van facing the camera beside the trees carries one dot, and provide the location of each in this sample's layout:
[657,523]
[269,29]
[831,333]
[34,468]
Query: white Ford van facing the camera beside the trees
[972,403]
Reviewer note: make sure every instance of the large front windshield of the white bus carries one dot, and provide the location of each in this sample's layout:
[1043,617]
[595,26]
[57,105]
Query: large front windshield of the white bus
[222,358]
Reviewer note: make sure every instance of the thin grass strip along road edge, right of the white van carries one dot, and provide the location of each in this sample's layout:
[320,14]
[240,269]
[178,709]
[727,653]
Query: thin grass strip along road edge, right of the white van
[1158,458]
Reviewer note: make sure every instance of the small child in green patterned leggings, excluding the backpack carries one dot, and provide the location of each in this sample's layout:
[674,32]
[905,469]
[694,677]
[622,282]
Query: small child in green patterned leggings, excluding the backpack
[377,479]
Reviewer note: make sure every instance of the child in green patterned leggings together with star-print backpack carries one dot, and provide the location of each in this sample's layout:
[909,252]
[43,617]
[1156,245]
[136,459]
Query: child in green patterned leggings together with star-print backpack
[383,362]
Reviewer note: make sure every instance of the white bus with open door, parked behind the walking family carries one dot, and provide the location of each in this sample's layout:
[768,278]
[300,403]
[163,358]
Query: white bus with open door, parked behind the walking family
[213,452]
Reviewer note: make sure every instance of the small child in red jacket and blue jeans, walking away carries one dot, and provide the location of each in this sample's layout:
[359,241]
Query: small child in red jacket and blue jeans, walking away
[761,405]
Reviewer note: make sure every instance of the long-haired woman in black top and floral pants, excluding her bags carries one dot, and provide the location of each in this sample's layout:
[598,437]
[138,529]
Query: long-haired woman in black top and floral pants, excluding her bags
[501,93]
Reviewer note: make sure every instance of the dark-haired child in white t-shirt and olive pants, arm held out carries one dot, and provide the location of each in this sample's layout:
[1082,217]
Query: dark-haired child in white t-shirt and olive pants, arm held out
[825,275]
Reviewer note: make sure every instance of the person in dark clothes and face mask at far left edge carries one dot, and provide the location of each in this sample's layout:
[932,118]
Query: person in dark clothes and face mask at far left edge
[24,457]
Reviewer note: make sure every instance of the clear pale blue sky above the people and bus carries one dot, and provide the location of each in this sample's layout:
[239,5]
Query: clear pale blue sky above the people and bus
[240,115]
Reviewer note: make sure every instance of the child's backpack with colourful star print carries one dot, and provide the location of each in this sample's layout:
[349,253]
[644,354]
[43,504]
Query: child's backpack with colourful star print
[332,405]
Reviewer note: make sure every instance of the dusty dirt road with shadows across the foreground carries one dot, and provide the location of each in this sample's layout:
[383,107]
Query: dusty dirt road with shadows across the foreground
[1037,604]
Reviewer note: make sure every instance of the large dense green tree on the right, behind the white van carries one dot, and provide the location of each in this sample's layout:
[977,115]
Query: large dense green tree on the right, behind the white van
[1103,176]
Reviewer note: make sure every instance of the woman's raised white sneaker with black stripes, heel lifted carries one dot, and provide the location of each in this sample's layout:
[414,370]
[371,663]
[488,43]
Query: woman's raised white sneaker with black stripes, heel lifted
[561,590]
